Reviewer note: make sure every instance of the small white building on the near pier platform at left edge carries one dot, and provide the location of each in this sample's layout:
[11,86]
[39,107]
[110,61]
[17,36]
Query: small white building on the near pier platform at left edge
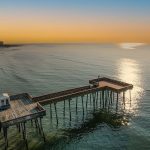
[4,101]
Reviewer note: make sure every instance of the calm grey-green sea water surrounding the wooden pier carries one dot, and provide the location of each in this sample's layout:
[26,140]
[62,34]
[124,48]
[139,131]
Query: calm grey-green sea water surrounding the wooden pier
[41,69]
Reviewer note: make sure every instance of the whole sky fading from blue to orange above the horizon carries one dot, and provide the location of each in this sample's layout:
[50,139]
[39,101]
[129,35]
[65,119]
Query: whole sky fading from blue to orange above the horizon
[69,21]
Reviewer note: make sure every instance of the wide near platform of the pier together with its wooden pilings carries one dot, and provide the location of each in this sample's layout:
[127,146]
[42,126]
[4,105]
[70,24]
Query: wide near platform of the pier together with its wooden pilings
[22,109]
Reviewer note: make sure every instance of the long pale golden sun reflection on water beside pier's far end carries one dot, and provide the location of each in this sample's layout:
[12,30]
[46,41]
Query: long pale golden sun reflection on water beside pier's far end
[129,71]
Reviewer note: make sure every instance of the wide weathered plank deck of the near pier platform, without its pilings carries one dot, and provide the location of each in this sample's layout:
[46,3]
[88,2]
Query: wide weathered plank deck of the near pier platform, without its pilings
[21,109]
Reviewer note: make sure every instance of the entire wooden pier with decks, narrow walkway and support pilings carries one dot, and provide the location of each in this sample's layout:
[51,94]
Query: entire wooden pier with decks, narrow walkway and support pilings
[25,108]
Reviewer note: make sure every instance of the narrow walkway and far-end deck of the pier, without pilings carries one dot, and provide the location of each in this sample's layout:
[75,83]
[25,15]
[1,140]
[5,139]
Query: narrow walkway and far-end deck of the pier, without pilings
[101,84]
